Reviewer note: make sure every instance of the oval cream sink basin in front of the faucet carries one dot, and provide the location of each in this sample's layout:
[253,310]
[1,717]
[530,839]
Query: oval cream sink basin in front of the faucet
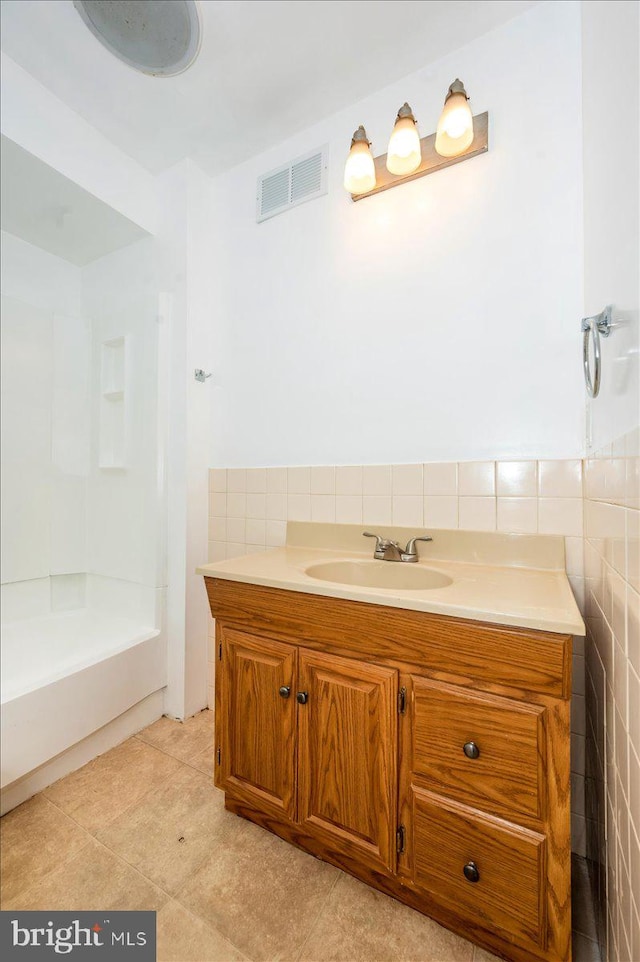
[379,574]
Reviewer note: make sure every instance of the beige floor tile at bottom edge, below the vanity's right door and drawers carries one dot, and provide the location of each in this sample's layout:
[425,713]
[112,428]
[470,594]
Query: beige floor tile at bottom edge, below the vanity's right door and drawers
[362,925]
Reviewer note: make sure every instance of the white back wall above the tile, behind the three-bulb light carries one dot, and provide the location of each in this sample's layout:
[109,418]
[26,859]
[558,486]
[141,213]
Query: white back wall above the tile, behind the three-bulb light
[436,321]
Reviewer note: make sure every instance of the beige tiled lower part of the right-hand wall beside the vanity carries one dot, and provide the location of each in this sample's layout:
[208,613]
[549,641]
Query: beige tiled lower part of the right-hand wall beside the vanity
[612,573]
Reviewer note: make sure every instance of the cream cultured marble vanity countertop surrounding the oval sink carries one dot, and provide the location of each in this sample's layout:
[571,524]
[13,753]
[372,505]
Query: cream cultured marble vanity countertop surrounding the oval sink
[517,580]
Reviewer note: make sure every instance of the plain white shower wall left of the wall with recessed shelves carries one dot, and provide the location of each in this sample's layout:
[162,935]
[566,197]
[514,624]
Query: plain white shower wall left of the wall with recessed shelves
[45,424]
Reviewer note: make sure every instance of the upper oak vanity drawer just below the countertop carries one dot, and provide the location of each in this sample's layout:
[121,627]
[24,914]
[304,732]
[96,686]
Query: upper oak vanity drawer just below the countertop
[481,749]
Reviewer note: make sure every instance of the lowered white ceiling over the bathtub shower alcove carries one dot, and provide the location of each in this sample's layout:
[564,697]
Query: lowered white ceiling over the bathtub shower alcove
[45,208]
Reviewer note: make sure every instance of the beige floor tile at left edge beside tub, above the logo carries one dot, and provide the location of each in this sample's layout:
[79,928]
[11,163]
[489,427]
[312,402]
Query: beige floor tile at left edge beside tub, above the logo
[35,838]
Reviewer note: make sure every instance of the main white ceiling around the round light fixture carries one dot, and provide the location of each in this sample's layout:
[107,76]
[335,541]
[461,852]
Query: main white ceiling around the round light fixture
[266,69]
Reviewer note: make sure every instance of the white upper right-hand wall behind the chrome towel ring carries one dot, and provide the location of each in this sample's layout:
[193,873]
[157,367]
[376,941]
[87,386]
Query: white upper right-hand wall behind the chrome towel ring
[611,118]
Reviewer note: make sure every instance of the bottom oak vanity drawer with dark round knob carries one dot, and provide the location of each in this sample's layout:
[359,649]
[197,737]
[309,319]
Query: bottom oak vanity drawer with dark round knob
[486,869]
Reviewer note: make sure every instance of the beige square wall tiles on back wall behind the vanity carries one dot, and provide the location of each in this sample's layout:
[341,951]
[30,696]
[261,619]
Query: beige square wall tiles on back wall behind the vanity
[249,509]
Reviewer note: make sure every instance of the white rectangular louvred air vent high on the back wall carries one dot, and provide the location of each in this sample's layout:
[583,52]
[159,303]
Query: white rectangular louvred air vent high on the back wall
[299,181]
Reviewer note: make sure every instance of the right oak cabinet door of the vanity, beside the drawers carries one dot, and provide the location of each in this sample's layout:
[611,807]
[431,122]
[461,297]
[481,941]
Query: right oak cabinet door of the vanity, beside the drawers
[347,782]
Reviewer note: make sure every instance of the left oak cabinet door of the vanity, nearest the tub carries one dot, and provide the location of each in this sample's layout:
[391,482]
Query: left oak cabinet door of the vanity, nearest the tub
[259,732]
